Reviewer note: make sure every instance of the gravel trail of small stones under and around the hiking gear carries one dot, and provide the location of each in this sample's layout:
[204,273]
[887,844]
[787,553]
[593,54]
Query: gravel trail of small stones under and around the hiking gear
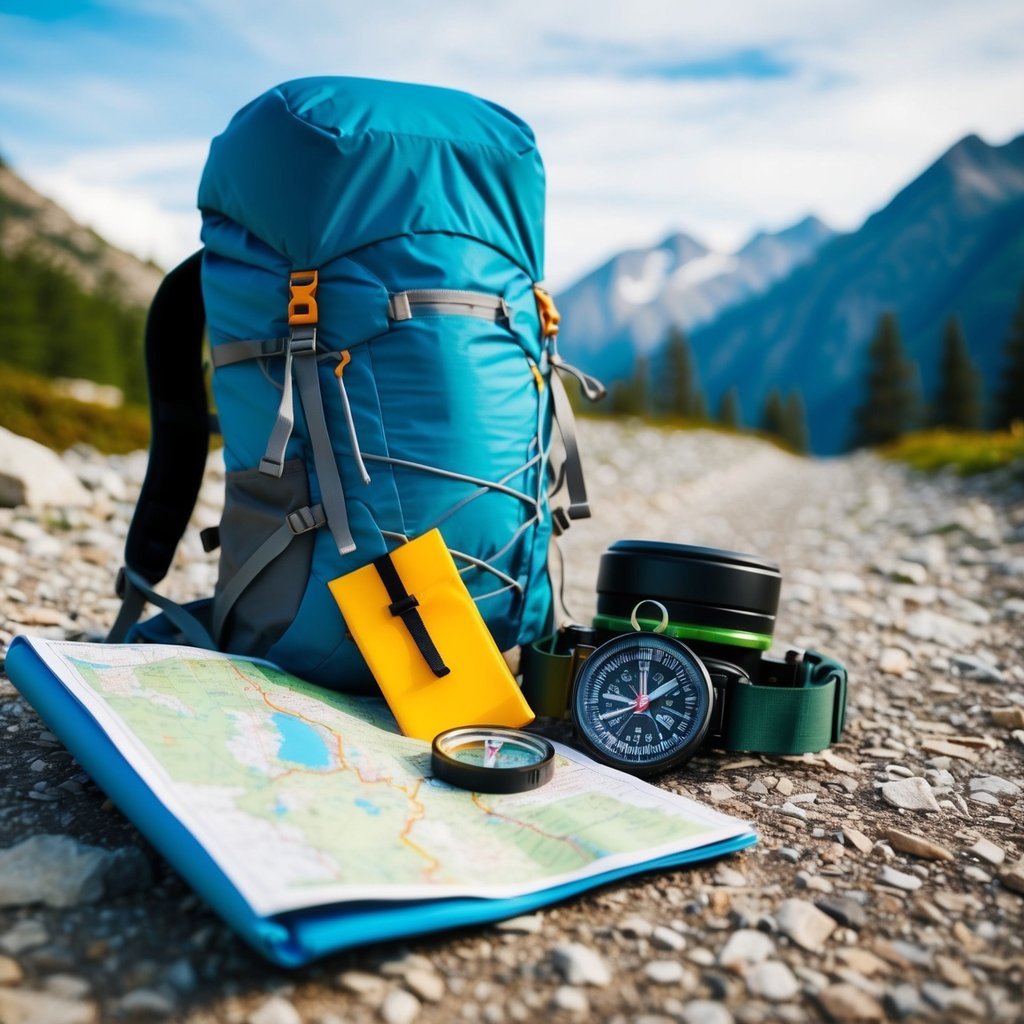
[888,883]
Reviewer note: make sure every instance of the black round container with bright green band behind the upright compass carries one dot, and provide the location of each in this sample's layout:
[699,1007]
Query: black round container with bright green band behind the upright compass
[722,604]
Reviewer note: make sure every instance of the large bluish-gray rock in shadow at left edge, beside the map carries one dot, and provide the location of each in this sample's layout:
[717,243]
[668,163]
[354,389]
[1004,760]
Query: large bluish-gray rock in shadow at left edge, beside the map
[60,872]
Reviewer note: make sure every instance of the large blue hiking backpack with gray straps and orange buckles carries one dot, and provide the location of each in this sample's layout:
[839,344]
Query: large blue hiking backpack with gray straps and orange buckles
[382,365]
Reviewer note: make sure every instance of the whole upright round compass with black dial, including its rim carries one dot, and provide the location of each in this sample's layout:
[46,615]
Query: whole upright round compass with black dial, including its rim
[643,703]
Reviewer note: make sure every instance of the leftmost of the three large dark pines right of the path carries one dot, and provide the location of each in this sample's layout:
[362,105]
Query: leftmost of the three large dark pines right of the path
[890,402]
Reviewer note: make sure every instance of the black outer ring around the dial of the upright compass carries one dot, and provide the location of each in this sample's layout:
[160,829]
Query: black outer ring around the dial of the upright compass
[589,740]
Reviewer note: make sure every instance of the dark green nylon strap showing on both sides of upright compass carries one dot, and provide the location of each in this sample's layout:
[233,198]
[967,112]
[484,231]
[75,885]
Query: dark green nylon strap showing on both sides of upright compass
[798,719]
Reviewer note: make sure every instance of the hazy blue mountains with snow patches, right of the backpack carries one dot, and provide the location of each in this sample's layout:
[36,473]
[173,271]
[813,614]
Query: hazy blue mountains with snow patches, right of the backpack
[950,243]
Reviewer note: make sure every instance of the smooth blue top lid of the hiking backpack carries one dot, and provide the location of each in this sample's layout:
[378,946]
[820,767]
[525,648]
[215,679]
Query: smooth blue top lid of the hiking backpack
[320,167]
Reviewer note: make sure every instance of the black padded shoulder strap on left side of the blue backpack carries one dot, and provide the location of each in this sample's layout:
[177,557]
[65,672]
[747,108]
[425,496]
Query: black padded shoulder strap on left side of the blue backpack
[180,439]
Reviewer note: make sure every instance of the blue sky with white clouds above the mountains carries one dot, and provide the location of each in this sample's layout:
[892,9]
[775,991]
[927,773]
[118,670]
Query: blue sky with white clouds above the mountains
[653,116]
